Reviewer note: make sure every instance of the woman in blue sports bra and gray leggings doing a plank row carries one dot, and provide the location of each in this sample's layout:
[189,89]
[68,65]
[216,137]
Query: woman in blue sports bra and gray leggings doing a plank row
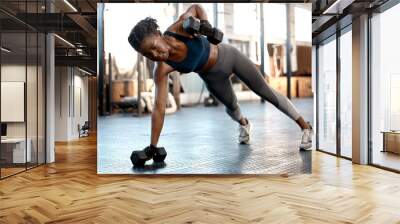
[176,50]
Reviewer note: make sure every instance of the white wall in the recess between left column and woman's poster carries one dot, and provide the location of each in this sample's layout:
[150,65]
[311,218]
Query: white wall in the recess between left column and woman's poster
[70,83]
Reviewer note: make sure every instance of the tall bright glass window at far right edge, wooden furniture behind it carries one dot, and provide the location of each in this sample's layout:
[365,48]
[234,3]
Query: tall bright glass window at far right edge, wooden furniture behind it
[385,89]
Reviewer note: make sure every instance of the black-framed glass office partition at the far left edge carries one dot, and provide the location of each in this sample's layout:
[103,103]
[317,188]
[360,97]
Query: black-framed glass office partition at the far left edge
[22,76]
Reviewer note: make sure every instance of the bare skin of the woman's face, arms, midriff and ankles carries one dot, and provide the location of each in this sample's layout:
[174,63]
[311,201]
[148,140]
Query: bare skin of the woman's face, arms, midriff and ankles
[160,48]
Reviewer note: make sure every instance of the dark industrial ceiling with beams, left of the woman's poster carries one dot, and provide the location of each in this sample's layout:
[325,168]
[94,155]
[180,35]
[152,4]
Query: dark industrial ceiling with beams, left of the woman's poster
[73,21]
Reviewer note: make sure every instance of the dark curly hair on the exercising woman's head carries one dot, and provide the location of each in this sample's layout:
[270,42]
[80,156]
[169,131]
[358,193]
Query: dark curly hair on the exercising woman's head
[141,30]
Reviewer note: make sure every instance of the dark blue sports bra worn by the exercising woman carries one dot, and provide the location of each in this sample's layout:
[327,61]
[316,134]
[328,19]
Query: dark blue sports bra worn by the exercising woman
[197,53]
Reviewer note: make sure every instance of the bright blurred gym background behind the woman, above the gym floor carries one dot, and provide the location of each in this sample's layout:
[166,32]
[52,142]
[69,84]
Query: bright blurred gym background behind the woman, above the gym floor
[260,31]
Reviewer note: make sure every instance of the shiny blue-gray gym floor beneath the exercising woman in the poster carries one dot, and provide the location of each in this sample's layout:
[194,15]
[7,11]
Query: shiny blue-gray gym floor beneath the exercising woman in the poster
[203,140]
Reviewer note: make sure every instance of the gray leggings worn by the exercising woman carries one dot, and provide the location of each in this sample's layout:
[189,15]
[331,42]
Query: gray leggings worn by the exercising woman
[230,60]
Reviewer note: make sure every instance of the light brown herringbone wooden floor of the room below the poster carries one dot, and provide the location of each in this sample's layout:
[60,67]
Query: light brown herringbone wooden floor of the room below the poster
[70,191]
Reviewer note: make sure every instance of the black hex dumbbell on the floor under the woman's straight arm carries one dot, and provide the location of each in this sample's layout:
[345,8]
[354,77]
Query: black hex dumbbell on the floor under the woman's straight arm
[139,158]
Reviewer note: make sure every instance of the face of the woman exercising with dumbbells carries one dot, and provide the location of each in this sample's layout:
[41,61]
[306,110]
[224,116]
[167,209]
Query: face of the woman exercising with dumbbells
[155,48]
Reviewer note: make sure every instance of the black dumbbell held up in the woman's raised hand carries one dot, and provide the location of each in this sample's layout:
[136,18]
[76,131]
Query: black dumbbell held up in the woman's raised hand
[194,26]
